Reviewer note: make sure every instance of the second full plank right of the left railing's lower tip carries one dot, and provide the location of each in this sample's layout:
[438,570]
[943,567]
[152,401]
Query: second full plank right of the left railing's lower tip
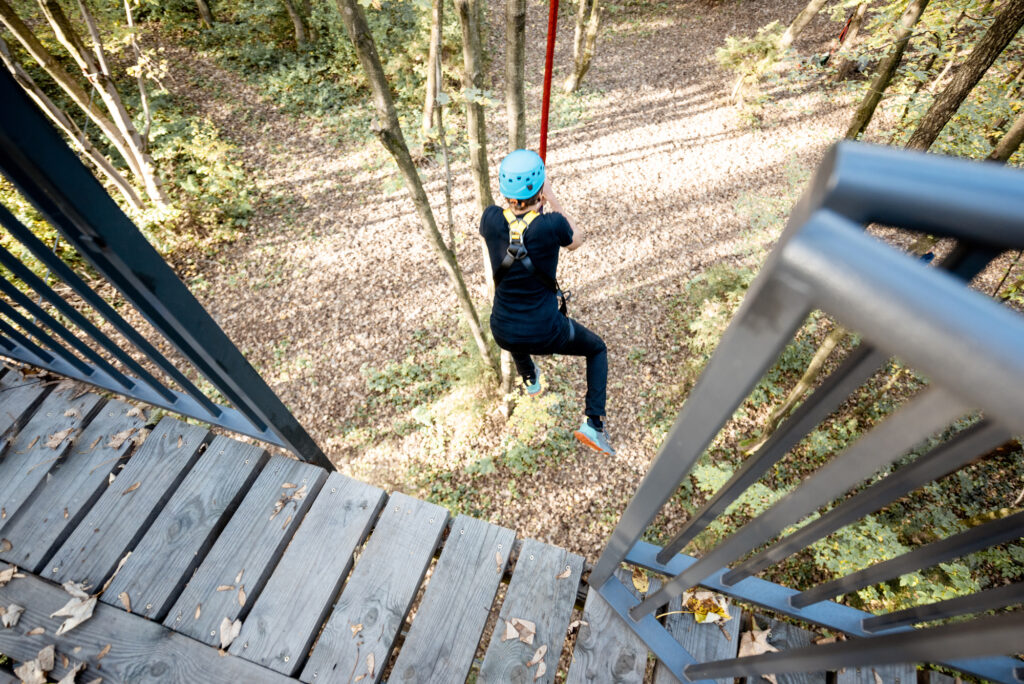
[379,593]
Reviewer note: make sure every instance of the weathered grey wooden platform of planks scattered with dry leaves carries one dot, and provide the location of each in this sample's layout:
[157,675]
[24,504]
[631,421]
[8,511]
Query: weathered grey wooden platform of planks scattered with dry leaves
[187,538]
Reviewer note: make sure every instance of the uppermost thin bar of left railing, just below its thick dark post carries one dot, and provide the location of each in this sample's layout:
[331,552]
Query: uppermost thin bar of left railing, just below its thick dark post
[79,287]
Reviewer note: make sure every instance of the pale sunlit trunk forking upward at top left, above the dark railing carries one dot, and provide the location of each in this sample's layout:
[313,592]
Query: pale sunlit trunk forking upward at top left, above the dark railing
[94,69]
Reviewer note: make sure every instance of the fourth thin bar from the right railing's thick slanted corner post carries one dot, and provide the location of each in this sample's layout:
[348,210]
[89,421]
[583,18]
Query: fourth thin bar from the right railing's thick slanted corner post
[983,537]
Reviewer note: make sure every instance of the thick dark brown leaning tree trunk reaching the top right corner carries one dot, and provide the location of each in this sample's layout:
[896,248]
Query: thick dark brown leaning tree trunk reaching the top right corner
[1003,30]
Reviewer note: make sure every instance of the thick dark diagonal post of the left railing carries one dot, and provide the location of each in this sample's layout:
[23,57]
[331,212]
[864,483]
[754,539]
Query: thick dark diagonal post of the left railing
[45,170]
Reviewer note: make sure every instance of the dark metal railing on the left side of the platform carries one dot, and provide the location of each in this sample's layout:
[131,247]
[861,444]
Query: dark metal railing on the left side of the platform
[66,338]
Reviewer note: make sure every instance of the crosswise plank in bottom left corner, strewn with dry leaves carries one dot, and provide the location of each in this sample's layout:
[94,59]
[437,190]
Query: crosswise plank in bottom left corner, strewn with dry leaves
[116,646]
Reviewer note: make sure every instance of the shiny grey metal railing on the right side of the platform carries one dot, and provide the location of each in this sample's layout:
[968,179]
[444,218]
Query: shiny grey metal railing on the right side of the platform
[970,348]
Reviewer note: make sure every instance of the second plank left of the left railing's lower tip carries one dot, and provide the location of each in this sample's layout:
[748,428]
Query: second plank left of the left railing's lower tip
[174,547]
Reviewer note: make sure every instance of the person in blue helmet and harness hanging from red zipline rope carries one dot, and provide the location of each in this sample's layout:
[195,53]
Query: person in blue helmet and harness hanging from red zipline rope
[529,314]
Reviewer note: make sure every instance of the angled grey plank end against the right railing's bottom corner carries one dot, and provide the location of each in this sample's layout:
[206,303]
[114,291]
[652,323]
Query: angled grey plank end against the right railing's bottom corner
[607,650]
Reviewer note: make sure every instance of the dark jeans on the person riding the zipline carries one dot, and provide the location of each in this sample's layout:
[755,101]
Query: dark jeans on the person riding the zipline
[573,340]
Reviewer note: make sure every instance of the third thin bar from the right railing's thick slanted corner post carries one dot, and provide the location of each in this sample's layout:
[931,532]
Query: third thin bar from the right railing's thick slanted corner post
[973,442]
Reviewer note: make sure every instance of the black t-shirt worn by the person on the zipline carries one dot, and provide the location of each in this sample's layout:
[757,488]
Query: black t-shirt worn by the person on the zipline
[525,311]
